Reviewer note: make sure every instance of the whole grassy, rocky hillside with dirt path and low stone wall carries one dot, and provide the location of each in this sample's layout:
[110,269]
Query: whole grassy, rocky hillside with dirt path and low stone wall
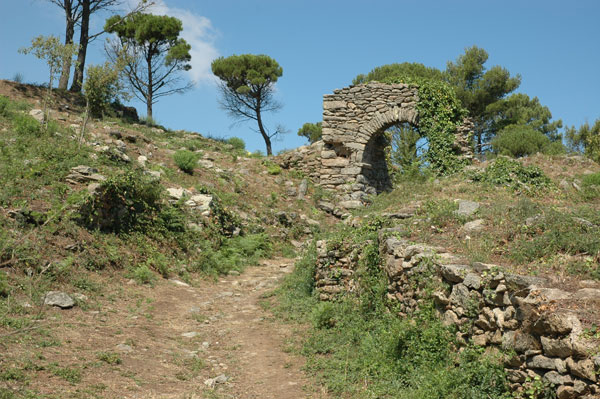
[192,268]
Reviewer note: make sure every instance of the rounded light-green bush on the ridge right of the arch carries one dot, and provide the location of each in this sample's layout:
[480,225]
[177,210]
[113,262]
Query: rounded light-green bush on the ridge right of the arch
[522,140]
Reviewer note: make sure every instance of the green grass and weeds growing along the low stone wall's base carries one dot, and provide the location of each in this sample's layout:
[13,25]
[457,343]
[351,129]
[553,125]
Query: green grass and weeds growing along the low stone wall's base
[357,348]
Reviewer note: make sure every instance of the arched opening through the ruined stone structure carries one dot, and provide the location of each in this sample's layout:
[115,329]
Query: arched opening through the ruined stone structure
[395,149]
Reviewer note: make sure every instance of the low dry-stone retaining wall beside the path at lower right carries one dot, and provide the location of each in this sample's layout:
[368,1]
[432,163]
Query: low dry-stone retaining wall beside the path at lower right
[490,308]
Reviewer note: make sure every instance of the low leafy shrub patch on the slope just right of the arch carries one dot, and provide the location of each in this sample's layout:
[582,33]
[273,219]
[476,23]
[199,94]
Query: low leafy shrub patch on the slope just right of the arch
[512,174]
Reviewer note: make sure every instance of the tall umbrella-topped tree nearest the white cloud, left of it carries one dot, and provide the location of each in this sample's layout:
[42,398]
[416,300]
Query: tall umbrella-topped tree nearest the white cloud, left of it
[156,55]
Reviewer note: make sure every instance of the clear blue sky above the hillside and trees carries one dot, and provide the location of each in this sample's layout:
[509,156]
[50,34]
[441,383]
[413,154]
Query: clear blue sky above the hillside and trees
[322,45]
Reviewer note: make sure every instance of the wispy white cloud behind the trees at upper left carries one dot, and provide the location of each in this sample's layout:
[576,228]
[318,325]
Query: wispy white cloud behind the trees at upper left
[198,32]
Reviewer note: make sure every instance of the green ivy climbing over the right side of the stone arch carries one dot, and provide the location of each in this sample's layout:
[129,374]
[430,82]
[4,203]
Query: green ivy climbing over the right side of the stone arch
[440,113]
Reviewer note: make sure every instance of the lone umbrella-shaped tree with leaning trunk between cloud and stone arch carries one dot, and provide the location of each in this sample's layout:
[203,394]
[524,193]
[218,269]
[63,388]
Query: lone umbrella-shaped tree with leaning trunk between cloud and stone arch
[247,84]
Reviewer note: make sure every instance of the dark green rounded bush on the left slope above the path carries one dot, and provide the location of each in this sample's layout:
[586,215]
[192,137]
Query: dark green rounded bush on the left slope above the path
[126,202]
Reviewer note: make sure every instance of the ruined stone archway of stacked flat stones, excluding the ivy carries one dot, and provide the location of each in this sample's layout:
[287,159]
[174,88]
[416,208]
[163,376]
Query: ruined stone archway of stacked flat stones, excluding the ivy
[354,118]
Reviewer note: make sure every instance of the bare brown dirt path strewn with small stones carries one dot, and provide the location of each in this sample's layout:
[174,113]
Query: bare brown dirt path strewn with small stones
[173,340]
